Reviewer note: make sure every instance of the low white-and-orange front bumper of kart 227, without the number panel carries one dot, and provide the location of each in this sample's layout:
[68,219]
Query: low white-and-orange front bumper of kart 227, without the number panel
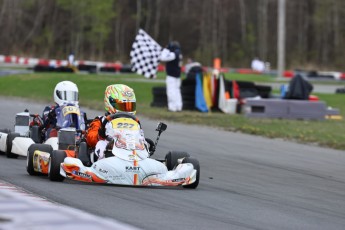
[114,170]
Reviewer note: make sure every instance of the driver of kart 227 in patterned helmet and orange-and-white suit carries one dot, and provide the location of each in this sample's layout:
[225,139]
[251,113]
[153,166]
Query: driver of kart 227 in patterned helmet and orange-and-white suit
[117,98]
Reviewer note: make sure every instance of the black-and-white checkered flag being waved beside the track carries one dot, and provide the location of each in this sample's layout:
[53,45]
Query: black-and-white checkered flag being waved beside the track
[145,55]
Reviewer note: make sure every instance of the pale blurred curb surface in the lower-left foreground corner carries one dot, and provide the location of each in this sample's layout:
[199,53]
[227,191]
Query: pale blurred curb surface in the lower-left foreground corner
[20,209]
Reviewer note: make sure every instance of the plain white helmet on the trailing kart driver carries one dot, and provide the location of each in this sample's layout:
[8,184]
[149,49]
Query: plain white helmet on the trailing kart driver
[66,92]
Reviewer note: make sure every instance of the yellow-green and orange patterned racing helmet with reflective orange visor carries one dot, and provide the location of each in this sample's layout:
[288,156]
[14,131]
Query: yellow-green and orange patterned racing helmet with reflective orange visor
[119,98]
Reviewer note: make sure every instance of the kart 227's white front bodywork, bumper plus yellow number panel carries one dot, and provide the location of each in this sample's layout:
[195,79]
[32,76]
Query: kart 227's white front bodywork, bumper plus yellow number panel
[130,163]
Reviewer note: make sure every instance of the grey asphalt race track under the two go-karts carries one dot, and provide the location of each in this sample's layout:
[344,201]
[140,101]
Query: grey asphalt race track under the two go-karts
[246,182]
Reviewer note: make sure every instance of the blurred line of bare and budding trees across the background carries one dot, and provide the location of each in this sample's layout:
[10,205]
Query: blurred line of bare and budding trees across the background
[234,30]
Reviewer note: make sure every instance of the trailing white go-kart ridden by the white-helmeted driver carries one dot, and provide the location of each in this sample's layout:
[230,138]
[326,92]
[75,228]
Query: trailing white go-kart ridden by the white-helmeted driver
[29,131]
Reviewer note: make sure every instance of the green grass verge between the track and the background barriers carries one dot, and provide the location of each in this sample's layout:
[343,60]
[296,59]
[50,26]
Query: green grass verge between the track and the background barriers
[39,87]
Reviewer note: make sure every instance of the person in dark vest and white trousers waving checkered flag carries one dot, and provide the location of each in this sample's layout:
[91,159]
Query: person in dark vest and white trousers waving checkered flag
[172,55]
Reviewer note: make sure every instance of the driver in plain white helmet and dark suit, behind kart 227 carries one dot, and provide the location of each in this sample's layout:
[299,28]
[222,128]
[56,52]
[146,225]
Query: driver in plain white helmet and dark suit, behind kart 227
[65,92]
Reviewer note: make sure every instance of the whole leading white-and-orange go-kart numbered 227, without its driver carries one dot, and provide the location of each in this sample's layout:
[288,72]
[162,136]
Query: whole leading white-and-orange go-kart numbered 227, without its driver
[127,160]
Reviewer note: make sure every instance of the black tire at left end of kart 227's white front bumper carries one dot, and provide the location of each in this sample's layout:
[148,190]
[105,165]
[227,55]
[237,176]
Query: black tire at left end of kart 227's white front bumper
[56,158]
